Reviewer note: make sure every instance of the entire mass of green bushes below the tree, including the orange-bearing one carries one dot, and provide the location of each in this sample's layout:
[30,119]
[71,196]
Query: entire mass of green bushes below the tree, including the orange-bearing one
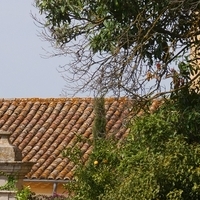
[160,159]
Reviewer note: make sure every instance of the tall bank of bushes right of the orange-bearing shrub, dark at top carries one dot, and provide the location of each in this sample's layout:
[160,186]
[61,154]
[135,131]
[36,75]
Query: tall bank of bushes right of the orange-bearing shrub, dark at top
[161,155]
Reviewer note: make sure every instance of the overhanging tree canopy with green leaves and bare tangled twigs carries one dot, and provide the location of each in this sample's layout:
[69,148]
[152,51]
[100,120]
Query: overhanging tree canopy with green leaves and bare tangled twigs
[123,46]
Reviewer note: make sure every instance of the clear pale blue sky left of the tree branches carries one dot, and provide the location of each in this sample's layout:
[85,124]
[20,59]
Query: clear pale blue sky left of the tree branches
[24,73]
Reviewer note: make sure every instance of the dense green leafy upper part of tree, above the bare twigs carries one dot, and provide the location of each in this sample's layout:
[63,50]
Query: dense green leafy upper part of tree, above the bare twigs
[118,23]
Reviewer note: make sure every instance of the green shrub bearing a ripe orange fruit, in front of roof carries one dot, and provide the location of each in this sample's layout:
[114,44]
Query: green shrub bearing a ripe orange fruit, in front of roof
[98,175]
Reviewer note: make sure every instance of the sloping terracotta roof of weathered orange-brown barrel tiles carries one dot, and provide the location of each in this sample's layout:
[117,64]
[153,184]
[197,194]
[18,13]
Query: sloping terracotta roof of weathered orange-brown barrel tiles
[42,128]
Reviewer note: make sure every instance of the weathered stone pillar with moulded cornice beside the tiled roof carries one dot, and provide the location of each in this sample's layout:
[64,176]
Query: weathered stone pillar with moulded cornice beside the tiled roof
[11,166]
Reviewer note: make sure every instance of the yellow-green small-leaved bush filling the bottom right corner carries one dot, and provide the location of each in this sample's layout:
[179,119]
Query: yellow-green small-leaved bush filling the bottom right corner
[170,173]
